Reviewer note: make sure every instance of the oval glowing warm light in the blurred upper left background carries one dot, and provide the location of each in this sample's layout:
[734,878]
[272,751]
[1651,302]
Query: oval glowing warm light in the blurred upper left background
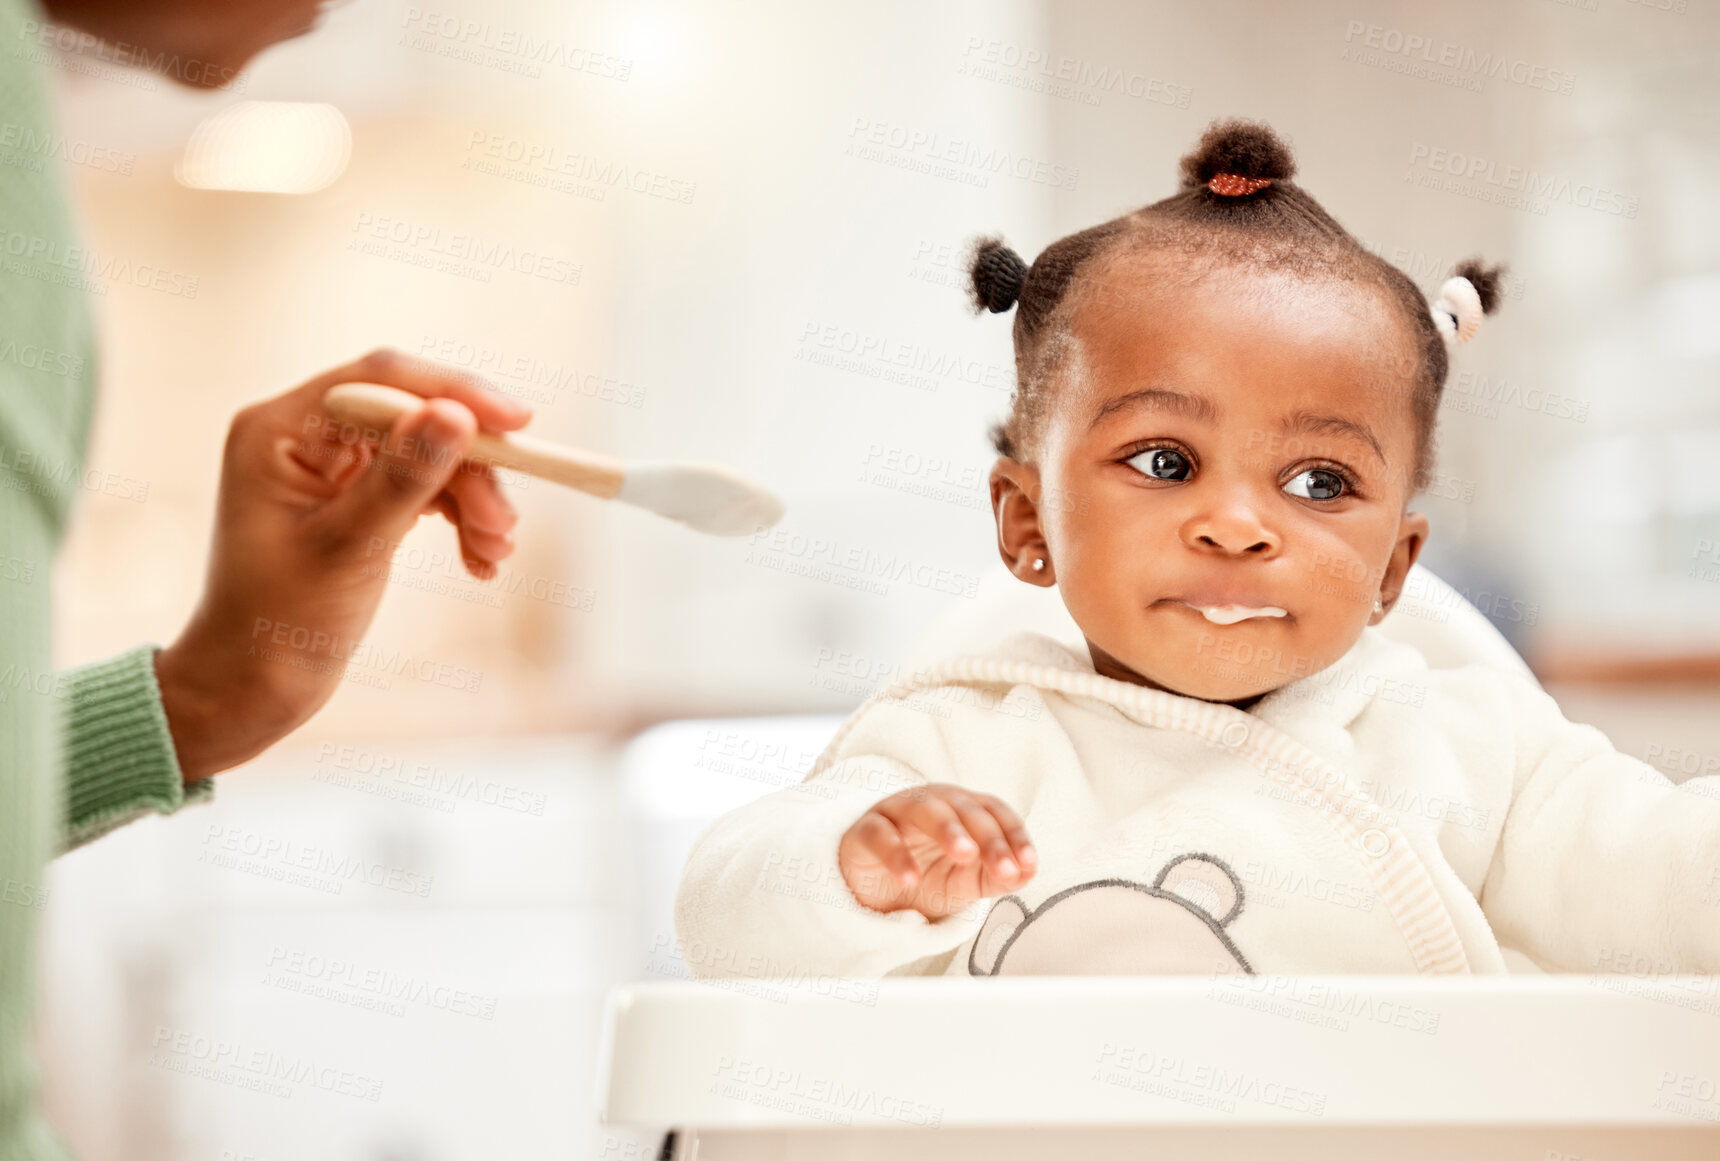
[267,147]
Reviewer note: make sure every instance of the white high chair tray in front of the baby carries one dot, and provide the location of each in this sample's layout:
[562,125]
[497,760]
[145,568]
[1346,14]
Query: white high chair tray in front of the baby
[952,1053]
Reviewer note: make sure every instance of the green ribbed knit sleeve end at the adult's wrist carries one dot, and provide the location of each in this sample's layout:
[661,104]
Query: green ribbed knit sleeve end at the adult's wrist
[120,754]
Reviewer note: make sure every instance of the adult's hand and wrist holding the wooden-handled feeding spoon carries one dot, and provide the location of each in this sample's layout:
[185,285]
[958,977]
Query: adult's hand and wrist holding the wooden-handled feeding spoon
[309,517]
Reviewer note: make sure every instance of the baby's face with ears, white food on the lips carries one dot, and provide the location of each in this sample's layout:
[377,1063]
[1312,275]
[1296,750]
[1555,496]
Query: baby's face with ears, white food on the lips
[1217,450]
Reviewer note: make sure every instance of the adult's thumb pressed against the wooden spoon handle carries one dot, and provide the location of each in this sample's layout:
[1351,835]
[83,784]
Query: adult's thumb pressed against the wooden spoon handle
[412,467]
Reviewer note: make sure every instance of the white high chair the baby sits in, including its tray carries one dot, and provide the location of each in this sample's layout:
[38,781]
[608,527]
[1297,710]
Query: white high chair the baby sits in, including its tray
[1487,1069]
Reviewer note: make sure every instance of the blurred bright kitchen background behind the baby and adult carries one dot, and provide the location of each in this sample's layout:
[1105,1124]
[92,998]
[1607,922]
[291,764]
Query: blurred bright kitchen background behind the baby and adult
[752,221]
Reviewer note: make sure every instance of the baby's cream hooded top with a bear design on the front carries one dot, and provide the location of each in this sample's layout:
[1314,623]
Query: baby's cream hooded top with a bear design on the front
[1379,816]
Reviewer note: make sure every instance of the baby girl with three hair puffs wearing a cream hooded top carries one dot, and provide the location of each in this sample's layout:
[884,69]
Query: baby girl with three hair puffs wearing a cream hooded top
[1224,408]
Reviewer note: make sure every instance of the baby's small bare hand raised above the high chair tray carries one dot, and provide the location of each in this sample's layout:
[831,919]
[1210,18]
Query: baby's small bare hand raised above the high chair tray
[935,849]
